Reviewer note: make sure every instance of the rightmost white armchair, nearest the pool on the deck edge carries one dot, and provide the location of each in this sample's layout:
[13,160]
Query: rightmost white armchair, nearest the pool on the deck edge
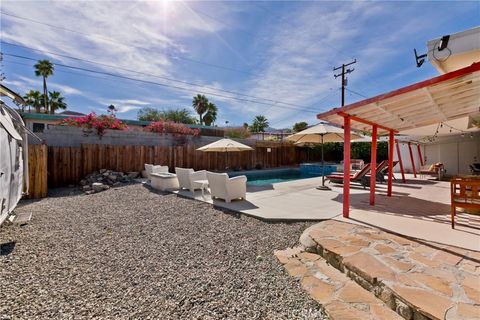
[223,187]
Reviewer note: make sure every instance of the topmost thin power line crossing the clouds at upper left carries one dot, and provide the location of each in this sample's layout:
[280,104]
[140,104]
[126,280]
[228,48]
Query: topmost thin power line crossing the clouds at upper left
[123,44]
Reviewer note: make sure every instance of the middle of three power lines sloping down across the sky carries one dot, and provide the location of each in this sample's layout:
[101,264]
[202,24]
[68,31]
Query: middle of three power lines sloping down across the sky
[153,75]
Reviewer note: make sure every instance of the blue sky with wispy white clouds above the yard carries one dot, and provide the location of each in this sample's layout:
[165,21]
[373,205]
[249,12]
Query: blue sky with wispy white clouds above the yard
[271,58]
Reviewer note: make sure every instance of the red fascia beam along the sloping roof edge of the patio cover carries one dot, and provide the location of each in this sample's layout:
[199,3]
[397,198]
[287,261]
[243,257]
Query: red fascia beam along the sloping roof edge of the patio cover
[419,85]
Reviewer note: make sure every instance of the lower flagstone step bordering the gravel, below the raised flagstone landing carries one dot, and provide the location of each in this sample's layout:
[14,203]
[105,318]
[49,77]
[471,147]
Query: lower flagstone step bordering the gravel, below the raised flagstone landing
[341,297]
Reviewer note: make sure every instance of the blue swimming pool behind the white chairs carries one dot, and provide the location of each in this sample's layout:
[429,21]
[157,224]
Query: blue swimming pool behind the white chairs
[268,177]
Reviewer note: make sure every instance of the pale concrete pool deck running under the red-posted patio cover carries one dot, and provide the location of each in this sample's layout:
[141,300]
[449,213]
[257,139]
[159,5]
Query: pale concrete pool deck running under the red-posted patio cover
[419,208]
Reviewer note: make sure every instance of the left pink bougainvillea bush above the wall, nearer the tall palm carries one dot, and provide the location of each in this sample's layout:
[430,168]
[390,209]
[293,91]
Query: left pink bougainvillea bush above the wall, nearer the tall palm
[94,122]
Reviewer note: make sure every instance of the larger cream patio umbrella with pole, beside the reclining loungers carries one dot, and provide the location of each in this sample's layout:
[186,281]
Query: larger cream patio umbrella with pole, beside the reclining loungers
[320,133]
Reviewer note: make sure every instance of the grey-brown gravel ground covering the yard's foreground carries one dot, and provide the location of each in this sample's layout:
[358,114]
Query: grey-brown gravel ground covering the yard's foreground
[130,252]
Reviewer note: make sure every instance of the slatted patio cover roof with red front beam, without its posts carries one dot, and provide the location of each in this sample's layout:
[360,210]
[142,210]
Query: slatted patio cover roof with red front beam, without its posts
[440,99]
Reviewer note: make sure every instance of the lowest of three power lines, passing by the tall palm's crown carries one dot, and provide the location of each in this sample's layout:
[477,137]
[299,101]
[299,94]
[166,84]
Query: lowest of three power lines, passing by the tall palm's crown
[157,83]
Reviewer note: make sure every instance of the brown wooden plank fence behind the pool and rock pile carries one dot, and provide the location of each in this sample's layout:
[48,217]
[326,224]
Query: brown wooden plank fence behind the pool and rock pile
[63,166]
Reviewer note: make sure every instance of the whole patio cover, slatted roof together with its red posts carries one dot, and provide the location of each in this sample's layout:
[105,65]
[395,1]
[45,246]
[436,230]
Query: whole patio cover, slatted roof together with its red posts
[444,98]
